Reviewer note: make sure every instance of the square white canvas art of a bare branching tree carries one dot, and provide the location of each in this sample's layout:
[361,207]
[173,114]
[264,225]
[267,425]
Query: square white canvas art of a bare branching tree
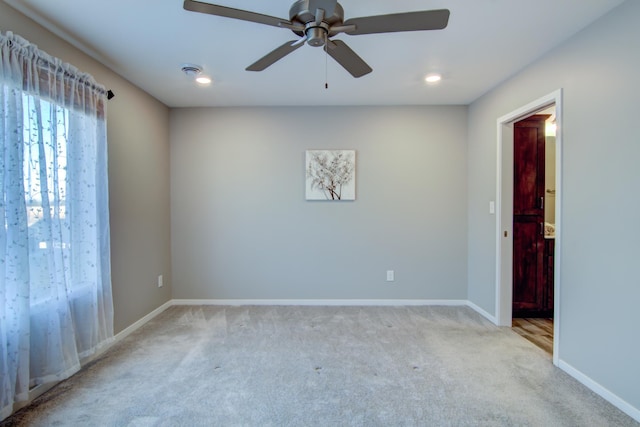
[331,175]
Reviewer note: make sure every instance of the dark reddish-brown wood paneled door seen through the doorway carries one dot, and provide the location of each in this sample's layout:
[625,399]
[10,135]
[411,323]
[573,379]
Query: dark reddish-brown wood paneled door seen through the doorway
[530,274]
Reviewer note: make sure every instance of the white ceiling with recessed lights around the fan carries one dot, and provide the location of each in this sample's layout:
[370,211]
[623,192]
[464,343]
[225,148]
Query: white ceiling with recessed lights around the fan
[146,41]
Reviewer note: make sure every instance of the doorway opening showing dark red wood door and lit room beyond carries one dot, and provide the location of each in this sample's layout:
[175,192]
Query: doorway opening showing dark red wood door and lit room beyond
[533,215]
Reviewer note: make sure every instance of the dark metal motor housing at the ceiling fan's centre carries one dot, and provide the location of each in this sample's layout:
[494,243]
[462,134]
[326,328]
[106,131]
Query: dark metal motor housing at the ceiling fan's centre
[316,33]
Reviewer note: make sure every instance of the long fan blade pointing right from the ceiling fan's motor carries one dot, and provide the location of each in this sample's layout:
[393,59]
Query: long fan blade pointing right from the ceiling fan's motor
[409,21]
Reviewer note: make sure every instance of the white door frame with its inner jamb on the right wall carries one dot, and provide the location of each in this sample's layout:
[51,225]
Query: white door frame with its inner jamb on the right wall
[504,213]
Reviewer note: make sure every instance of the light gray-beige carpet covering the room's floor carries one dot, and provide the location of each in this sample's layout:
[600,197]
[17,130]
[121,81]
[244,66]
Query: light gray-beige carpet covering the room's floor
[321,366]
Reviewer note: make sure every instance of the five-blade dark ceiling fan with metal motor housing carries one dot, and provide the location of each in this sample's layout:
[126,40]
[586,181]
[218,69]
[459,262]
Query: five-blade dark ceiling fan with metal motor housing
[316,21]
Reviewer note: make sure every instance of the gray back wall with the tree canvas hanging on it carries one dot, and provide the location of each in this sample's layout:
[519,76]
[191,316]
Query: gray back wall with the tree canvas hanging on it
[241,228]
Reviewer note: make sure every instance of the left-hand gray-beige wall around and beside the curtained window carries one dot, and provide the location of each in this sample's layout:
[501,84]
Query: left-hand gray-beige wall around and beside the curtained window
[138,138]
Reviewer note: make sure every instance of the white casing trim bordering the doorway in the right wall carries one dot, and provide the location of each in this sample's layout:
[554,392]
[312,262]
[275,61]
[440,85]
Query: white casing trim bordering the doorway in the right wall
[503,285]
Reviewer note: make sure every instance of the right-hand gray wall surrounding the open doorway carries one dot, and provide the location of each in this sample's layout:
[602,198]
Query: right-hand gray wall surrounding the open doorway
[600,286]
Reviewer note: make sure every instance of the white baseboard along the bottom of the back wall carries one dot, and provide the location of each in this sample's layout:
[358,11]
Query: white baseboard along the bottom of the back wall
[320,302]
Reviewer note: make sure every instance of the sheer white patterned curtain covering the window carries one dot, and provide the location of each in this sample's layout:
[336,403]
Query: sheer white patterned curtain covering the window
[55,278]
